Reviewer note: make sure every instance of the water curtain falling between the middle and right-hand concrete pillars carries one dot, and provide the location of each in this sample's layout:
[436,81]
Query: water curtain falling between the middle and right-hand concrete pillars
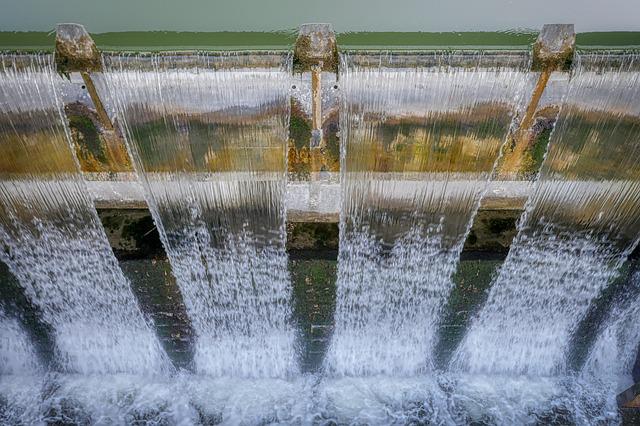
[420,136]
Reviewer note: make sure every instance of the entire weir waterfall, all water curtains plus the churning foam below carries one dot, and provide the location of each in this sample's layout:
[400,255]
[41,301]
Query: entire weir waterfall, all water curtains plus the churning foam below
[420,137]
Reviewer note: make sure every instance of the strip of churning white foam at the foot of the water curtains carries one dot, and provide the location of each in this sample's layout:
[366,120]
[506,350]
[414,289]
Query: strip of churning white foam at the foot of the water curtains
[195,400]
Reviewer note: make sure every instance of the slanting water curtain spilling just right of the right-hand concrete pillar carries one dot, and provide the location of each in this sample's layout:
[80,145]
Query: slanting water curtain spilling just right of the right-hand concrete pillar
[579,225]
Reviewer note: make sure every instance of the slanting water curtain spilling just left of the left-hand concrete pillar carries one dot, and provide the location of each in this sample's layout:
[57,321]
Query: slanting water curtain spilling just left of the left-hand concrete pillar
[52,239]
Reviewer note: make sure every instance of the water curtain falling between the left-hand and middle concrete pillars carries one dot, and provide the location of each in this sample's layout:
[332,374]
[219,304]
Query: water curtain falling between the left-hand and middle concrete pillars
[208,136]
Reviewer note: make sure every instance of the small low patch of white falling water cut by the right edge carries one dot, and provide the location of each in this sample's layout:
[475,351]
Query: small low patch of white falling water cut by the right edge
[616,347]
